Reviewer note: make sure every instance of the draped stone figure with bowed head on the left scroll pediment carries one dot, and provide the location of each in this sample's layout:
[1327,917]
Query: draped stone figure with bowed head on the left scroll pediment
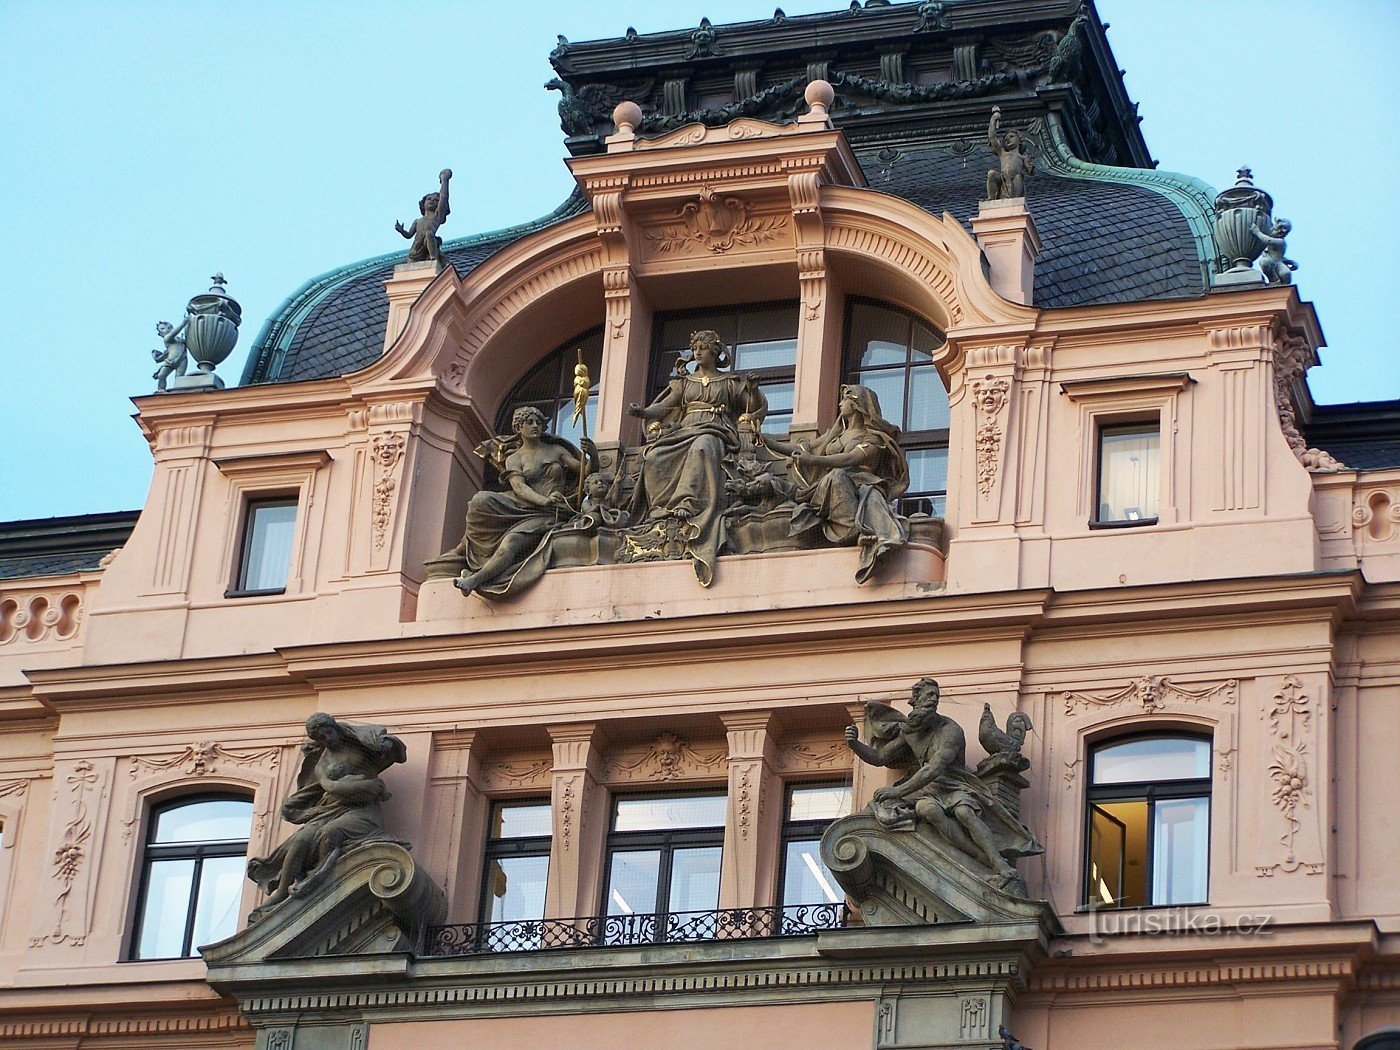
[337,804]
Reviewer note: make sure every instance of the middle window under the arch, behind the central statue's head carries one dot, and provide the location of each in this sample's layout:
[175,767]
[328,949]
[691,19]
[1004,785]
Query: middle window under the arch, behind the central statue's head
[761,338]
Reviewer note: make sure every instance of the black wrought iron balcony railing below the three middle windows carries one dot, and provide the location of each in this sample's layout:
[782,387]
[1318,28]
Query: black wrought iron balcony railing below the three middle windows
[629,932]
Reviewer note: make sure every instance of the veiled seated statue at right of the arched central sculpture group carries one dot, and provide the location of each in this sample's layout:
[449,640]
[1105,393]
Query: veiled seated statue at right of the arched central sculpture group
[850,479]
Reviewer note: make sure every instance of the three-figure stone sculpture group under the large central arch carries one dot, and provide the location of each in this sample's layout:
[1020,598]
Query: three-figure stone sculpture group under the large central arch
[706,482]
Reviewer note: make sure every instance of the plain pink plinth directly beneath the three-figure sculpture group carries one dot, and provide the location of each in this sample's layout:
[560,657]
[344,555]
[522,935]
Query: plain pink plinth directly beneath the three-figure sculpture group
[656,590]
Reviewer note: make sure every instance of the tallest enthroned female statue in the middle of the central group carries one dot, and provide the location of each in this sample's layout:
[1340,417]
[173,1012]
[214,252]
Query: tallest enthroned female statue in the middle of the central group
[682,468]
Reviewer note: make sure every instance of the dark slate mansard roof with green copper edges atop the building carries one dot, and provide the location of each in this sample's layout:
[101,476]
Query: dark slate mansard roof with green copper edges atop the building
[1109,234]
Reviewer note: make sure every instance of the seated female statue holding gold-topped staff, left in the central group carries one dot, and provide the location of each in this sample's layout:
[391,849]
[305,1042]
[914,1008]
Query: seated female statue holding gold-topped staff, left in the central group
[503,530]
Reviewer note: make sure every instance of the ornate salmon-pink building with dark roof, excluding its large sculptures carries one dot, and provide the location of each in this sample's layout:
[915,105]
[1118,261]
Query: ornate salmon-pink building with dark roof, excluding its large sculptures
[1136,544]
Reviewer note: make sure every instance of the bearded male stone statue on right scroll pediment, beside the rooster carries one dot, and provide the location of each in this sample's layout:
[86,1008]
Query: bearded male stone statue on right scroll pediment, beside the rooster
[937,792]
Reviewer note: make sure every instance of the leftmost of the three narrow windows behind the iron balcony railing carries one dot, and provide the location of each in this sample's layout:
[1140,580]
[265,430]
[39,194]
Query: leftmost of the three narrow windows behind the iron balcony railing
[517,863]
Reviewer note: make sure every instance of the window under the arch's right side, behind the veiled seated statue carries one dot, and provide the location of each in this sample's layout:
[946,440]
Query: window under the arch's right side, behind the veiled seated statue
[892,352]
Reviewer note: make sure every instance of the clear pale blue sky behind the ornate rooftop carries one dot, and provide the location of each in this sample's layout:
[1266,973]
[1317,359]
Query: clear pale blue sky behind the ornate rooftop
[146,145]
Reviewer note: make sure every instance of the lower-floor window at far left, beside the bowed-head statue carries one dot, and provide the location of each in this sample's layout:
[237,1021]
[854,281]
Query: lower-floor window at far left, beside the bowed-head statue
[192,876]
